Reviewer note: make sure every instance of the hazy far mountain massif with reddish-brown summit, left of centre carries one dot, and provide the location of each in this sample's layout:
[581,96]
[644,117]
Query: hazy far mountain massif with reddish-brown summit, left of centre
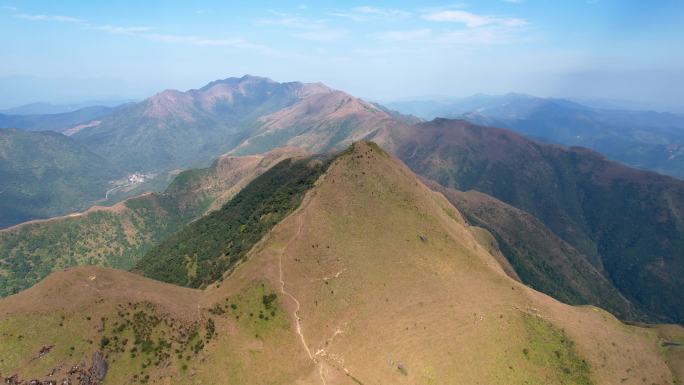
[246,115]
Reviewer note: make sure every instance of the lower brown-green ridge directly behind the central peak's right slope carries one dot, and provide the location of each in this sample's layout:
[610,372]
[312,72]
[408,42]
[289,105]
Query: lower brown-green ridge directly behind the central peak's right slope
[541,259]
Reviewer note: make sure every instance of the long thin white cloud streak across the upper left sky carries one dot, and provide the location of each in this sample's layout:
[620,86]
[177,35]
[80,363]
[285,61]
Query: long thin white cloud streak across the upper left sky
[148,33]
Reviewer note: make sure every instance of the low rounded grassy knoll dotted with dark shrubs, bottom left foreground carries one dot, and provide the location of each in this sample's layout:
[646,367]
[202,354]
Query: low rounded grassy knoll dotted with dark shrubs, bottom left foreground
[145,331]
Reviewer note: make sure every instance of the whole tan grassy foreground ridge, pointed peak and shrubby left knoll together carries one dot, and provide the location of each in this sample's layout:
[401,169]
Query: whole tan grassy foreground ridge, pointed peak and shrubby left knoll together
[375,279]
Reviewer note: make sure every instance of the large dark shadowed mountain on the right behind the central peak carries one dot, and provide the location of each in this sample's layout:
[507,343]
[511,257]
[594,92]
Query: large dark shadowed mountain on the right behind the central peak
[627,222]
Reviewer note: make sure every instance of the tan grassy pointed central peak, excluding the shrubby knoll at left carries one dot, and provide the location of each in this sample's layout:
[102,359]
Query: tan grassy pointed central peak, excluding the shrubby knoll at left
[393,288]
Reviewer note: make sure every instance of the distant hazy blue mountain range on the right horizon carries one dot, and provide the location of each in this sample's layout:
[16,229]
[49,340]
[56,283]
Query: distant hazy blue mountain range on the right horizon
[642,139]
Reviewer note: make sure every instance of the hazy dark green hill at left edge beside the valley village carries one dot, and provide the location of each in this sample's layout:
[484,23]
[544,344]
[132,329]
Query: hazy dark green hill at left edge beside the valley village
[43,174]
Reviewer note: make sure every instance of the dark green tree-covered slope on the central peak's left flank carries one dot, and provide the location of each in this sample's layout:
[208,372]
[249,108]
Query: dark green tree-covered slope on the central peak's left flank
[205,249]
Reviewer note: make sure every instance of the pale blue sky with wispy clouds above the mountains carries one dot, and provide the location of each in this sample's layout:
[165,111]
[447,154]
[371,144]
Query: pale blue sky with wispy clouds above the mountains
[75,50]
